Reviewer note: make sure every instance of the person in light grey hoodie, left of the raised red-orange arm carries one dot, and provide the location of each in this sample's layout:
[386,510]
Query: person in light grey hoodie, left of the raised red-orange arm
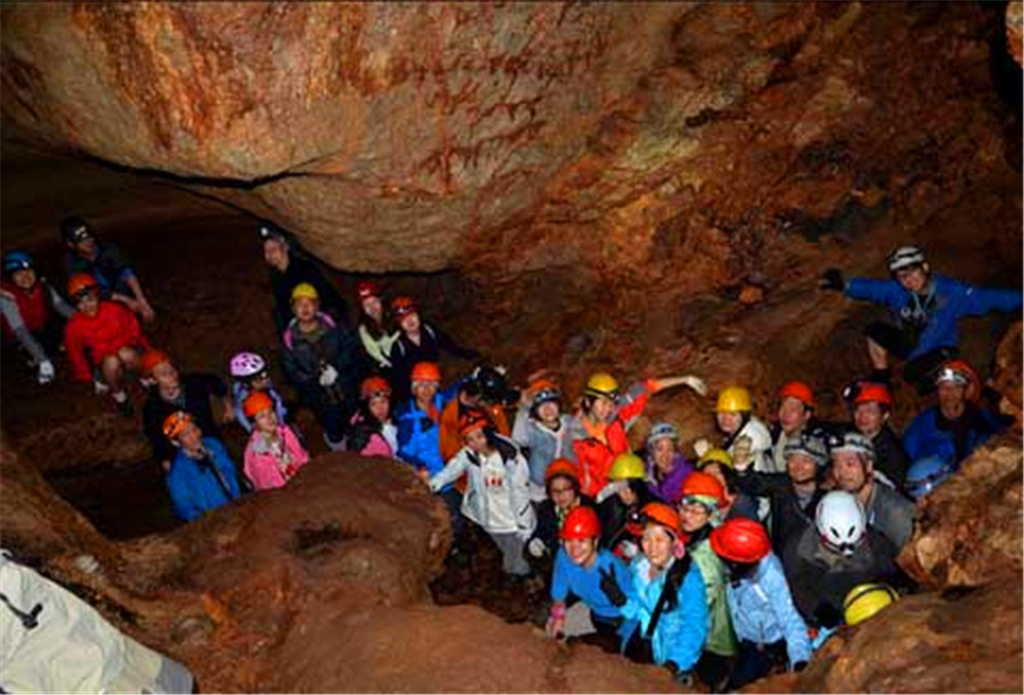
[544,431]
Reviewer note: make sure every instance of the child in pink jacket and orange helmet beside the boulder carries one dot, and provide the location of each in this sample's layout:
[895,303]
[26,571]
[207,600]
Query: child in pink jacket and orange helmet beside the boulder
[274,455]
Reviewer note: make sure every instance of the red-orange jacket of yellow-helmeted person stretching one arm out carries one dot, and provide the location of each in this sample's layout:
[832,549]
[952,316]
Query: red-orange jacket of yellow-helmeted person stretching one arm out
[596,451]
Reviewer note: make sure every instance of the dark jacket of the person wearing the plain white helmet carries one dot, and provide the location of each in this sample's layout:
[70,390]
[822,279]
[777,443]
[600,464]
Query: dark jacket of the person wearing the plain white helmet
[821,580]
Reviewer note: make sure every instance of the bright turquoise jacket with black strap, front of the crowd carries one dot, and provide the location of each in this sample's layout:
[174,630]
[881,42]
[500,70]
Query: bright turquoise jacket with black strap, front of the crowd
[682,632]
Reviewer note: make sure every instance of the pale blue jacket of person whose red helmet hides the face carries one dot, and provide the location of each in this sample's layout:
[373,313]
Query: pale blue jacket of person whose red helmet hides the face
[762,611]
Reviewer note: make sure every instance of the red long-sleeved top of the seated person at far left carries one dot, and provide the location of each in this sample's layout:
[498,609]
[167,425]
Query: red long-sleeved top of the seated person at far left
[90,339]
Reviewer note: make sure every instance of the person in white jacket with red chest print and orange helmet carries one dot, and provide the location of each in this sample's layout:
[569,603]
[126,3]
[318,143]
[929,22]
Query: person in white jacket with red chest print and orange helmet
[497,495]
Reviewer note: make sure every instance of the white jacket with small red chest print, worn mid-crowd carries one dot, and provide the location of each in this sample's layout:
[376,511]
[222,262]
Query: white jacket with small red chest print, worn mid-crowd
[496,483]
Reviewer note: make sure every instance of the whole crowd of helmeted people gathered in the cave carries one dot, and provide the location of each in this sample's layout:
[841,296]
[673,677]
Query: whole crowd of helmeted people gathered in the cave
[726,569]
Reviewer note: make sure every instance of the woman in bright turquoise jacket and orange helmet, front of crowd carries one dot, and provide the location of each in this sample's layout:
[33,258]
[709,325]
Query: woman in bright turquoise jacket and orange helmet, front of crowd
[667,616]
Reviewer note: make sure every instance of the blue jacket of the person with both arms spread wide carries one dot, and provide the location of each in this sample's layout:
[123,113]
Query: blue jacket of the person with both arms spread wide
[953,300]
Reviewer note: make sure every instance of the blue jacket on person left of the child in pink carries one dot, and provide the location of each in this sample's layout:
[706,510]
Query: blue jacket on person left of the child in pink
[196,488]
